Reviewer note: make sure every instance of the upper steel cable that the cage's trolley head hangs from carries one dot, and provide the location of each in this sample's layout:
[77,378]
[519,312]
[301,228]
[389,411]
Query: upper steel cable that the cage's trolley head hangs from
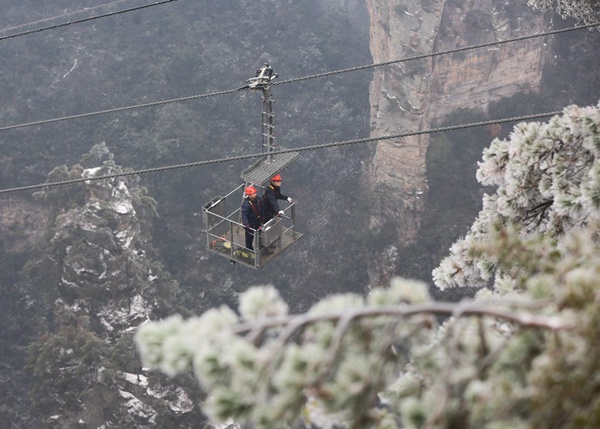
[217,93]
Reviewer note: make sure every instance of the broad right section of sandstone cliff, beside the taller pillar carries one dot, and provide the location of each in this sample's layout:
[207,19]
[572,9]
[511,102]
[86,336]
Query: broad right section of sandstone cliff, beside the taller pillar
[475,78]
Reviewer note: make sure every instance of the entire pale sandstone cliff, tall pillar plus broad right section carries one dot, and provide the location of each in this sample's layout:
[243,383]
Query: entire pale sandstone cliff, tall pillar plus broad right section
[410,96]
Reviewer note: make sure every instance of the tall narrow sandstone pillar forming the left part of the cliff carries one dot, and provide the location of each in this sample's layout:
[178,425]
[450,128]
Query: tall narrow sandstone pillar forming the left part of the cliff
[399,102]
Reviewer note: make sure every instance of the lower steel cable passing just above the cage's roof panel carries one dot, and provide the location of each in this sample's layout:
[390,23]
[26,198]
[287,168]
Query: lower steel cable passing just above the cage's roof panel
[300,149]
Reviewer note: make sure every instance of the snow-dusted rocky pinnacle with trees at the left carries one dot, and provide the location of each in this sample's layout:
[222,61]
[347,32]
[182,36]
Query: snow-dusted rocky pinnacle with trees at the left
[96,279]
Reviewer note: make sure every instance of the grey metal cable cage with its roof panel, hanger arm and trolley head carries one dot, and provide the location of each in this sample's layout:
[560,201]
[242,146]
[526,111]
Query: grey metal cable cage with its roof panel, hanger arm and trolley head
[222,216]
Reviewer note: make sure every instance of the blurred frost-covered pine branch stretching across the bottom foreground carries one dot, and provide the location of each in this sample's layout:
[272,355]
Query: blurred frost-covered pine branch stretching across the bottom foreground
[272,369]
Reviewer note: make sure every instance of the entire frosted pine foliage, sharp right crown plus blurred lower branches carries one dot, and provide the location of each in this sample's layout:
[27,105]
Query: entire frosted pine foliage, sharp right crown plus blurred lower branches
[521,355]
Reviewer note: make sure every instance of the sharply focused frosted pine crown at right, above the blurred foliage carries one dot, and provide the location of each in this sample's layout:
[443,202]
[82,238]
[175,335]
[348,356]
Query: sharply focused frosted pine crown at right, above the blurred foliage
[547,179]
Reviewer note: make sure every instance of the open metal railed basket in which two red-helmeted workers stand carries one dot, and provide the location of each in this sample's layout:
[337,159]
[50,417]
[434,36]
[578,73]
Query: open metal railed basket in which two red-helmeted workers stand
[225,235]
